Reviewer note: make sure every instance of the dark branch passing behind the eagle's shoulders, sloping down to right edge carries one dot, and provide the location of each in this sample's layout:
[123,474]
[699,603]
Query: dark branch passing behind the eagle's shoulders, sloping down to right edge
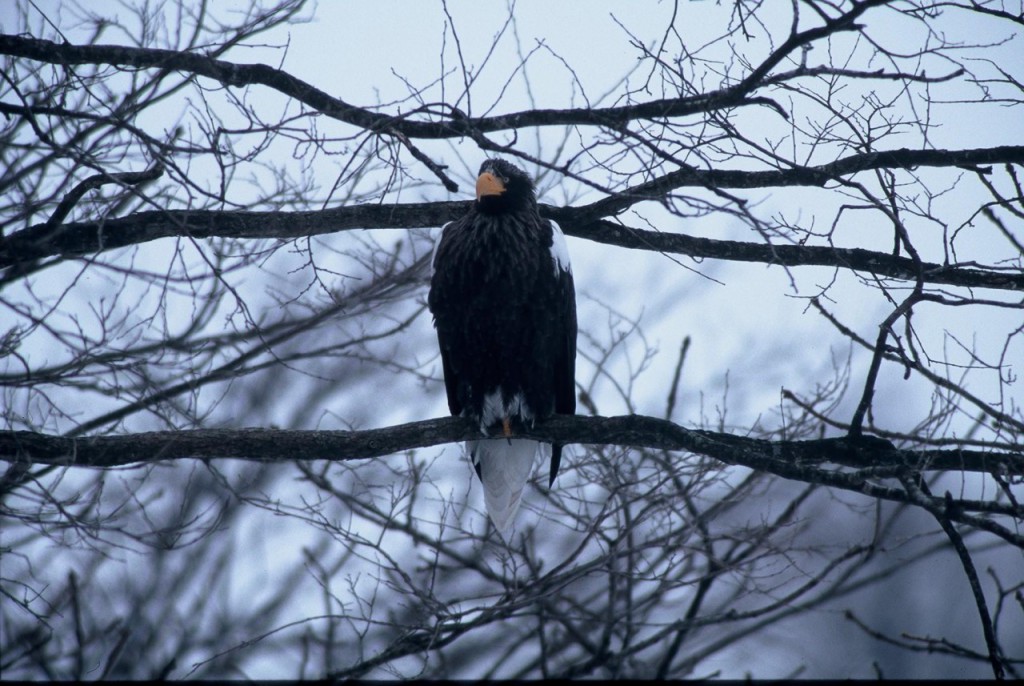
[89,238]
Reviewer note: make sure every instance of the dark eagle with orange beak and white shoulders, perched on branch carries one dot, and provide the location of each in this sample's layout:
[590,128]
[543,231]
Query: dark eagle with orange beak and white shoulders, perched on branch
[504,307]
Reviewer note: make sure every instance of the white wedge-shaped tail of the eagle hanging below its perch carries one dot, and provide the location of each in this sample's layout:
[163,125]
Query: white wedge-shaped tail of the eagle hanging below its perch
[504,467]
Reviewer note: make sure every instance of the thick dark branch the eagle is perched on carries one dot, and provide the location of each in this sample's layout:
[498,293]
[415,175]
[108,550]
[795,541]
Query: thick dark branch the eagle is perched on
[783,457]
